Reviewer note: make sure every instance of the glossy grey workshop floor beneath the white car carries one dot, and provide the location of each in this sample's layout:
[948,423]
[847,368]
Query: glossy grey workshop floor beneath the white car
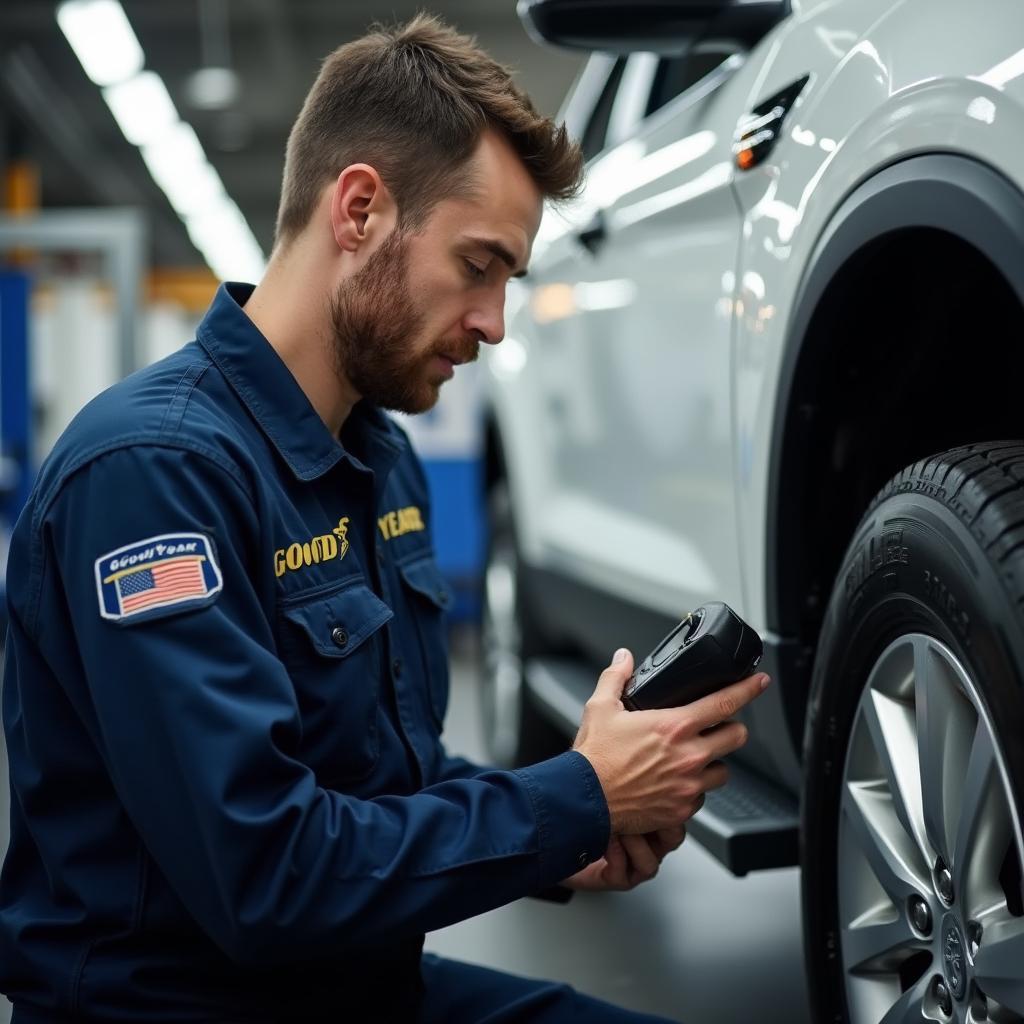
[695,945]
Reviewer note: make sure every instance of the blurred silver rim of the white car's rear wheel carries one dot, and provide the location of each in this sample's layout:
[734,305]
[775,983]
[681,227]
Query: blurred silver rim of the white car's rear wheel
[502,652]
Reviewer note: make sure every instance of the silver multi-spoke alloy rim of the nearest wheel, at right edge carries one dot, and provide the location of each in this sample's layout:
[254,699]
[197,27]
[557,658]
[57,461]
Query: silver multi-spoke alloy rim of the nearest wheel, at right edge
[928,836]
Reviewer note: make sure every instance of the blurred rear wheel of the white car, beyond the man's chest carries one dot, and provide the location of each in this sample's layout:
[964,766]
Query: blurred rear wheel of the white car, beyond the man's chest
[517,734]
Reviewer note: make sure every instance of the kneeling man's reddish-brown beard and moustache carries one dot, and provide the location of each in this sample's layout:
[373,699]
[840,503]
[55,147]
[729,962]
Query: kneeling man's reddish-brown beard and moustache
[376,326]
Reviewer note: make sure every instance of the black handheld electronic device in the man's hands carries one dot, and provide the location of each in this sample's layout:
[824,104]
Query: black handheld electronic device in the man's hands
[710,649]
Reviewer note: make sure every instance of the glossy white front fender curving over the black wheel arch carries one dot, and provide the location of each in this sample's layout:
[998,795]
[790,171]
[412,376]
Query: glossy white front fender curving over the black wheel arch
[878,106]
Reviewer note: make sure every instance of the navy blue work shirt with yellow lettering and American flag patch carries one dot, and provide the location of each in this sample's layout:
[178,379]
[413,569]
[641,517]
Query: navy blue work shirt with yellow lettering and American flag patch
[226,679]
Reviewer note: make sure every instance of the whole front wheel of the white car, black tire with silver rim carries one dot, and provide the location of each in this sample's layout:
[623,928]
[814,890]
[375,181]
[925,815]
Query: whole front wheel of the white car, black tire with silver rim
[912,841]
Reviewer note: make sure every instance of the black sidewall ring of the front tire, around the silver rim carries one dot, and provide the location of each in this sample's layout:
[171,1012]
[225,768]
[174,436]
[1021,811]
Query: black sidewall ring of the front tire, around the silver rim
[913,568]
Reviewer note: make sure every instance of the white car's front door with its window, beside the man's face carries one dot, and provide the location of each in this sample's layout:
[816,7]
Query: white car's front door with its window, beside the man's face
[632,315]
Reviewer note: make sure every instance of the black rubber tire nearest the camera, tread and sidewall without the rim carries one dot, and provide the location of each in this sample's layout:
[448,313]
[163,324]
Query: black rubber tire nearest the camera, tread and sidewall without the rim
[941,553]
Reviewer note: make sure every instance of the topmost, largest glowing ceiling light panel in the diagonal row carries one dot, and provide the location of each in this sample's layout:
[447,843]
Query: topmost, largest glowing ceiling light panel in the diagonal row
[102,38]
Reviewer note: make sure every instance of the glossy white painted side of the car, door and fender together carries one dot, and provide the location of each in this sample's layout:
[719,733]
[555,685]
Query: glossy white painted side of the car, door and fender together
[637,395]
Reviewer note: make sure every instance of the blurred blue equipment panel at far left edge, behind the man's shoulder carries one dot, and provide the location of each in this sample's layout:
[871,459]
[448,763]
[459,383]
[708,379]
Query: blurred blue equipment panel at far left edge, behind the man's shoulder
[16,414]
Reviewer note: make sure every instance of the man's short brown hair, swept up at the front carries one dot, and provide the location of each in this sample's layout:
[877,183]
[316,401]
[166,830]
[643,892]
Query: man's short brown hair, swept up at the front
[413,102]
